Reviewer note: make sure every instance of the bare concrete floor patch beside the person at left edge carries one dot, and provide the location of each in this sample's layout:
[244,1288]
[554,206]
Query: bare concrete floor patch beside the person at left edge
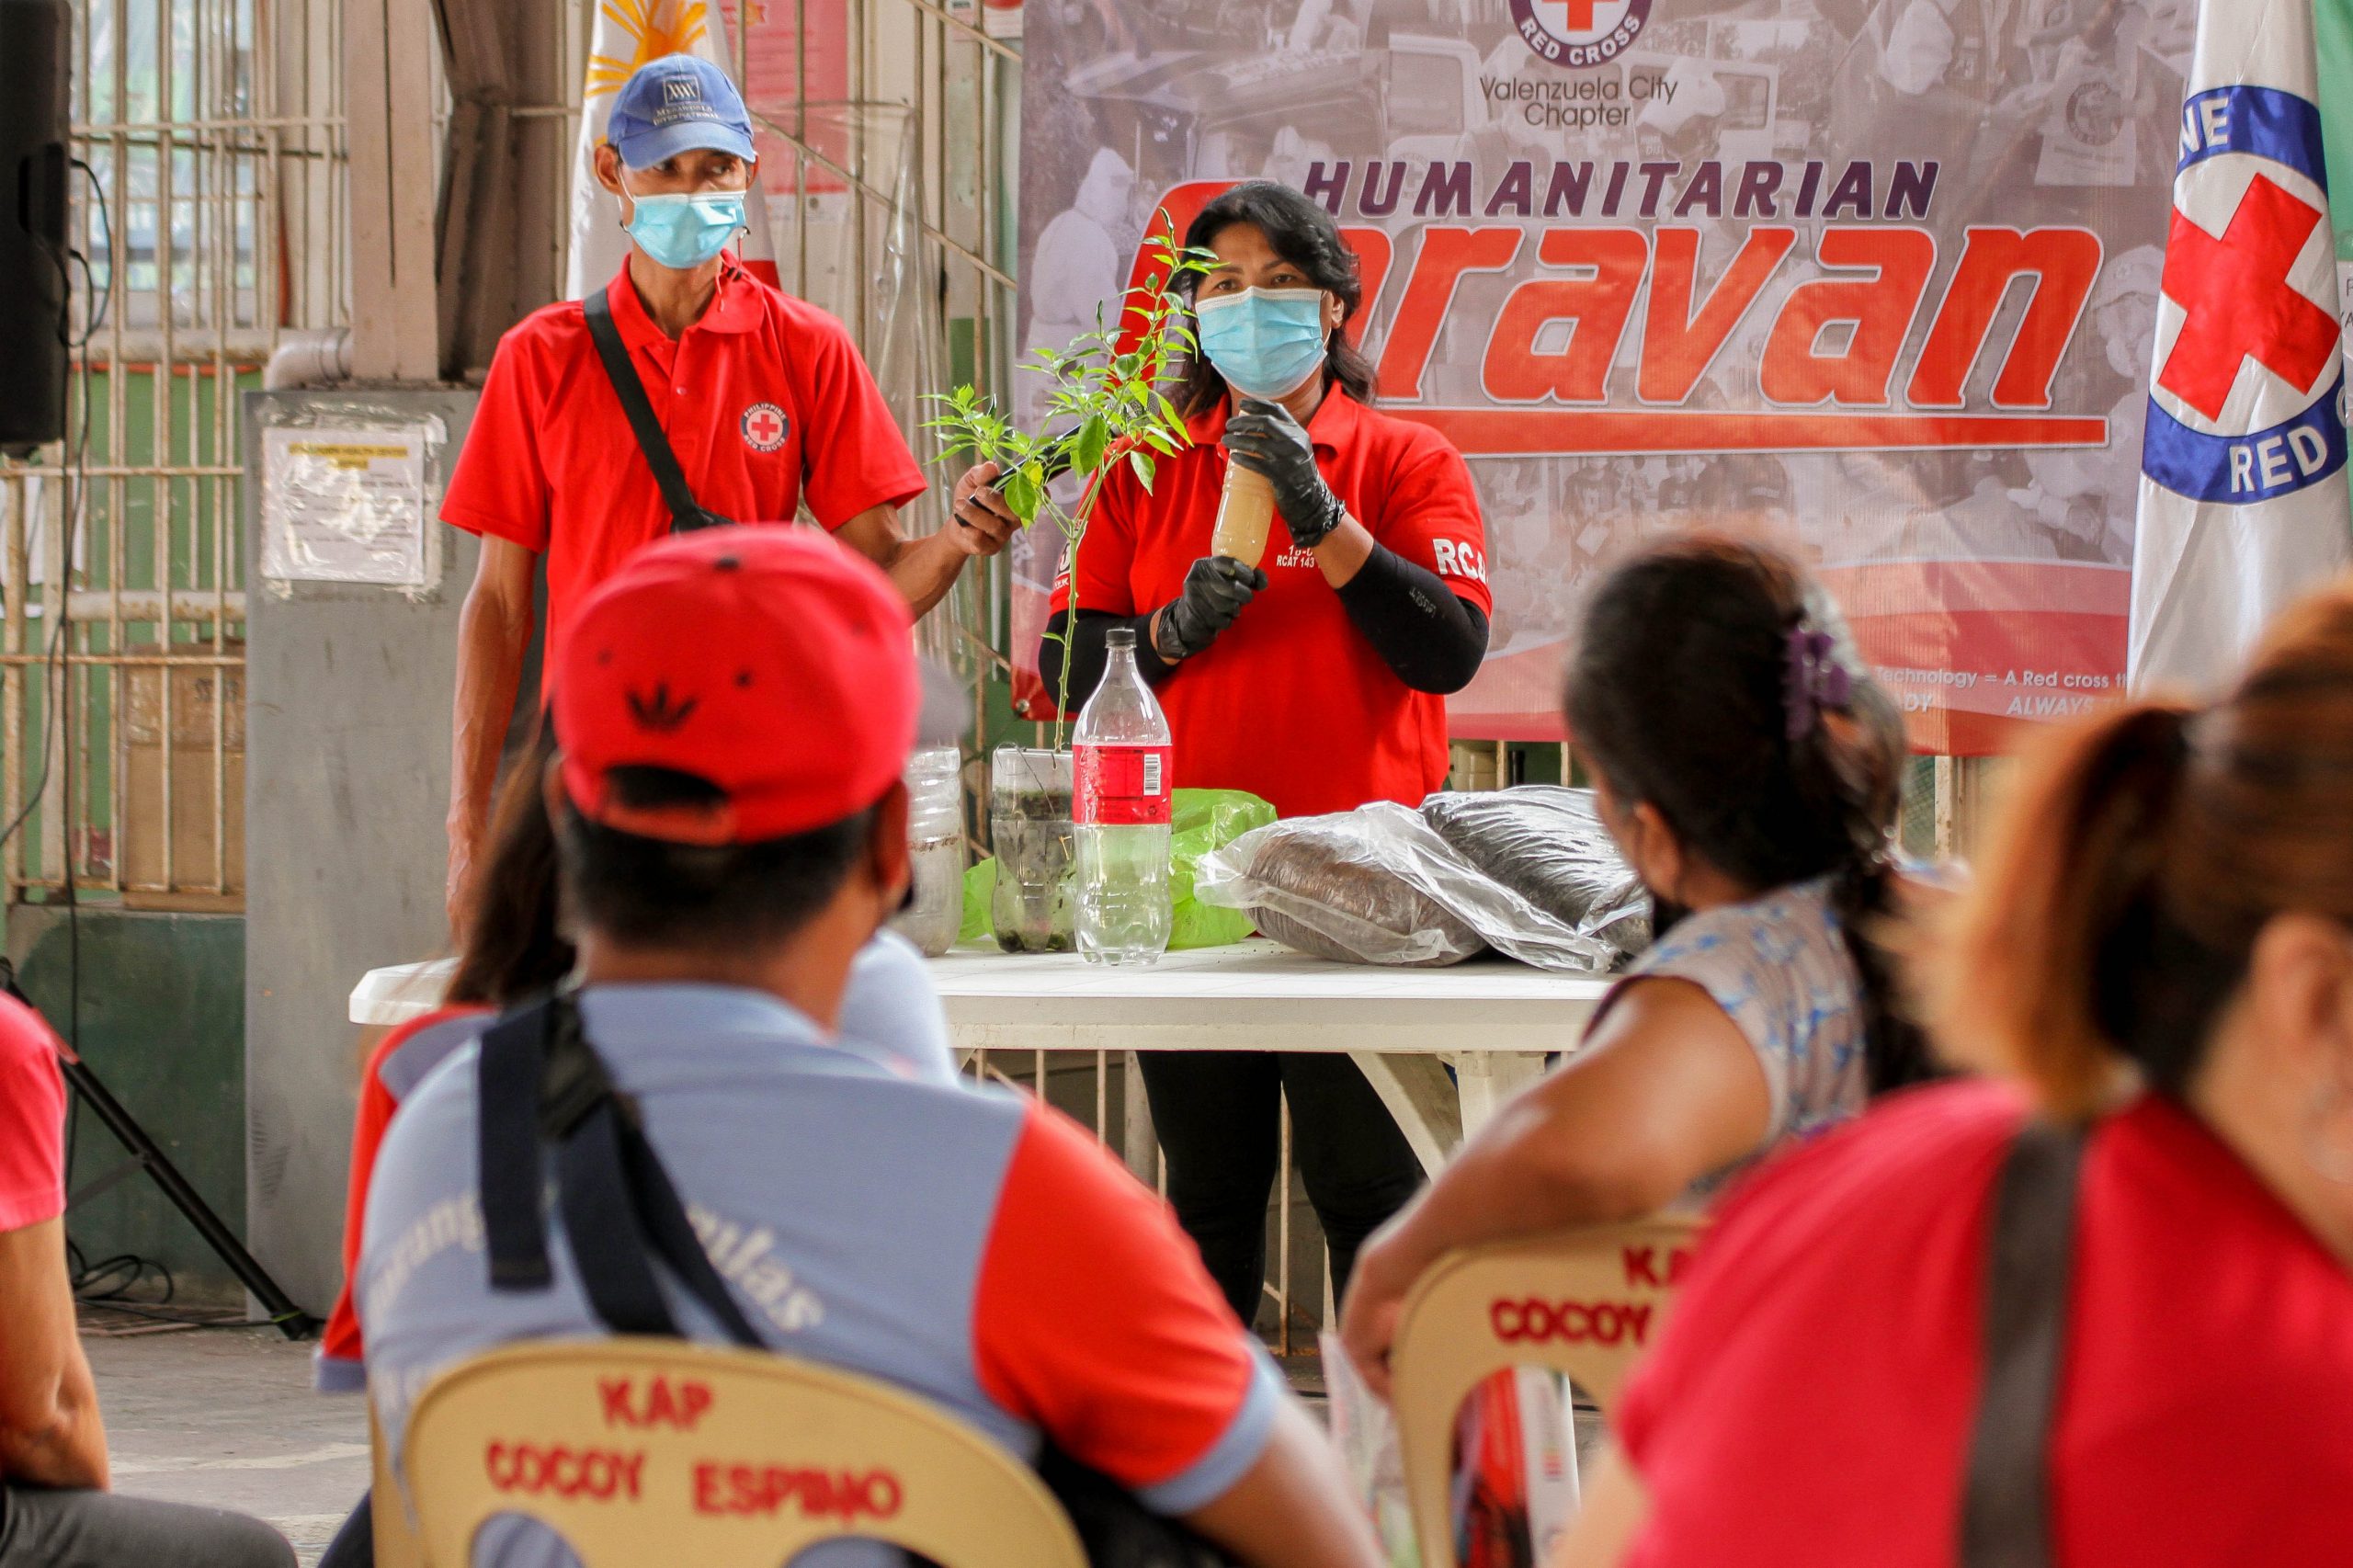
[227,1416]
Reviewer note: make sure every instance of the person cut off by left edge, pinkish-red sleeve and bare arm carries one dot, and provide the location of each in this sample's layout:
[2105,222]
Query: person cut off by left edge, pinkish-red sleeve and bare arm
[55,1501]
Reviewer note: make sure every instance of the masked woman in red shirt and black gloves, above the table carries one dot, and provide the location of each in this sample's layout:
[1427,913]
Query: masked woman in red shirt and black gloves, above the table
[1314,677]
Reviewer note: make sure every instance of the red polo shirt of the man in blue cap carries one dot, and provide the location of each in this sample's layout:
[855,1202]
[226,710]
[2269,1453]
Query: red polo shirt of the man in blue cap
[764,399]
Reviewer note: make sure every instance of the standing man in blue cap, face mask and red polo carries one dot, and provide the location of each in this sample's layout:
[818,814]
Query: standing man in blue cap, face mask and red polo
[686,394]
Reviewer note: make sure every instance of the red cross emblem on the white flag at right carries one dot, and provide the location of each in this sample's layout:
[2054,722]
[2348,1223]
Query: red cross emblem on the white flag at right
[2239,300]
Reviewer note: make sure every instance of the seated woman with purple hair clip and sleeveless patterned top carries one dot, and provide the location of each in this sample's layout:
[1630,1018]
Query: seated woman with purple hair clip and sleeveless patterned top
[1749,771]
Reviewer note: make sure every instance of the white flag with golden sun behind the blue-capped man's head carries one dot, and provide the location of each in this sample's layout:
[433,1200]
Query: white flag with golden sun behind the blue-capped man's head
[627,36]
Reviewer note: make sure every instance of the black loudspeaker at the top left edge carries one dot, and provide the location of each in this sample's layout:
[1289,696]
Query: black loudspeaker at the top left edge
[34,168]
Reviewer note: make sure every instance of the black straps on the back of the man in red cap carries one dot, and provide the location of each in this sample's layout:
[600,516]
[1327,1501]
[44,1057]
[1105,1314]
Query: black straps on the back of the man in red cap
[542,1087]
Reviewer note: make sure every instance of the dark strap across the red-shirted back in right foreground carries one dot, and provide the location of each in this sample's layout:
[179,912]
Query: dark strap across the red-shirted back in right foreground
[2032,1251]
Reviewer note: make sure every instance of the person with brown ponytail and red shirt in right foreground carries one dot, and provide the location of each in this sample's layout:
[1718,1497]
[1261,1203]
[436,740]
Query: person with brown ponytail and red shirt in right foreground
[2159,950]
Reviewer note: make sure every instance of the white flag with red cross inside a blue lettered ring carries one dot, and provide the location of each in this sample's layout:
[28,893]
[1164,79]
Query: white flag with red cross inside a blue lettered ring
[2244,472]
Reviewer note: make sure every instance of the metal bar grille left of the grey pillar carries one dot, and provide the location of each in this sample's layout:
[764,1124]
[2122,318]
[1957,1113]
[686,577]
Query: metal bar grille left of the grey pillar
[208,225]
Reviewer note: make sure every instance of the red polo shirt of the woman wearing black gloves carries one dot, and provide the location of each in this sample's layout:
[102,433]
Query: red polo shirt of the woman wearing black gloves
[1293,703]
